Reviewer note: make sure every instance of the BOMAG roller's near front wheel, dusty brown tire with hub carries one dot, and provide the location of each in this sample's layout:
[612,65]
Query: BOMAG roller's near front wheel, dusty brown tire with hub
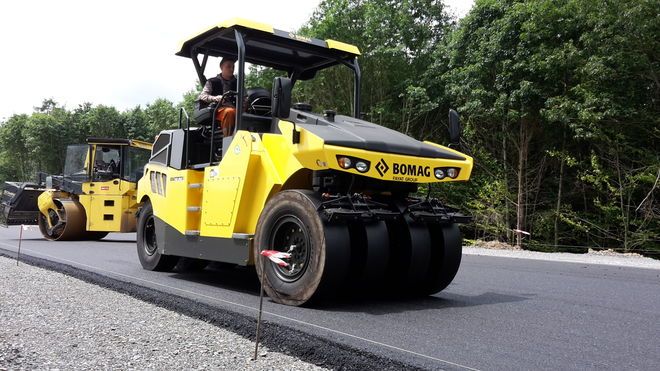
[291,218]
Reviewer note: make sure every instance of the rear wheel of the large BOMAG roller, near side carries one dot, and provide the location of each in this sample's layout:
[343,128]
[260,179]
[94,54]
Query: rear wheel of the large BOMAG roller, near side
[147,243]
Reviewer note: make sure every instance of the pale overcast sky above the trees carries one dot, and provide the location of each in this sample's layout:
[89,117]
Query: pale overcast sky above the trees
[119,53]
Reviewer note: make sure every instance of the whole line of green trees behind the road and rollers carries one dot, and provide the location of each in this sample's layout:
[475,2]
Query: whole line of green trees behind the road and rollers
[558,100]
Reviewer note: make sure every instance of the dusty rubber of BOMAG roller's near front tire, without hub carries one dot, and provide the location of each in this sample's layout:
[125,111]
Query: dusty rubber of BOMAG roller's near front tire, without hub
[329,251]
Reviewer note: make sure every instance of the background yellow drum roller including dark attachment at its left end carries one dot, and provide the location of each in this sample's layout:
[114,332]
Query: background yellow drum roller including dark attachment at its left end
[95,195]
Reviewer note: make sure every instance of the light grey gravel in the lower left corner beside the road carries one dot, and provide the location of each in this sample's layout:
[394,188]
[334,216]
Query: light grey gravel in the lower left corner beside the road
[54,321]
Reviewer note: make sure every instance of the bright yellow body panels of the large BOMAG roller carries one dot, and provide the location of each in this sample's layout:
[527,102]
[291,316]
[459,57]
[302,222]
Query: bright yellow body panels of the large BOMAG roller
[227,198]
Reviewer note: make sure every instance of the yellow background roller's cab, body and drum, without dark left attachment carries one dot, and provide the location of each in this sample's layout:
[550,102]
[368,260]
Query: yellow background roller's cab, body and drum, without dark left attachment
[95,200]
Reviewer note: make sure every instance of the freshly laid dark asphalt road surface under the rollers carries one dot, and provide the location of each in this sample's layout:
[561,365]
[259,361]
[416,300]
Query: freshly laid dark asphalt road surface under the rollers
[499,313]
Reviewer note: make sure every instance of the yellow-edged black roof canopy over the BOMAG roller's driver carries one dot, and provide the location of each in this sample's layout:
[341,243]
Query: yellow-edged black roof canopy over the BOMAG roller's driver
[270,47]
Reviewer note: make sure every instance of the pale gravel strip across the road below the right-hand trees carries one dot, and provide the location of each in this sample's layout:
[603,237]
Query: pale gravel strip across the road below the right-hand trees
[603,258]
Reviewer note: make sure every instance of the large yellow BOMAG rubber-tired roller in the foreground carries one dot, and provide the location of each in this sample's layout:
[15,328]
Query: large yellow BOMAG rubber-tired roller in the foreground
[333,191]
